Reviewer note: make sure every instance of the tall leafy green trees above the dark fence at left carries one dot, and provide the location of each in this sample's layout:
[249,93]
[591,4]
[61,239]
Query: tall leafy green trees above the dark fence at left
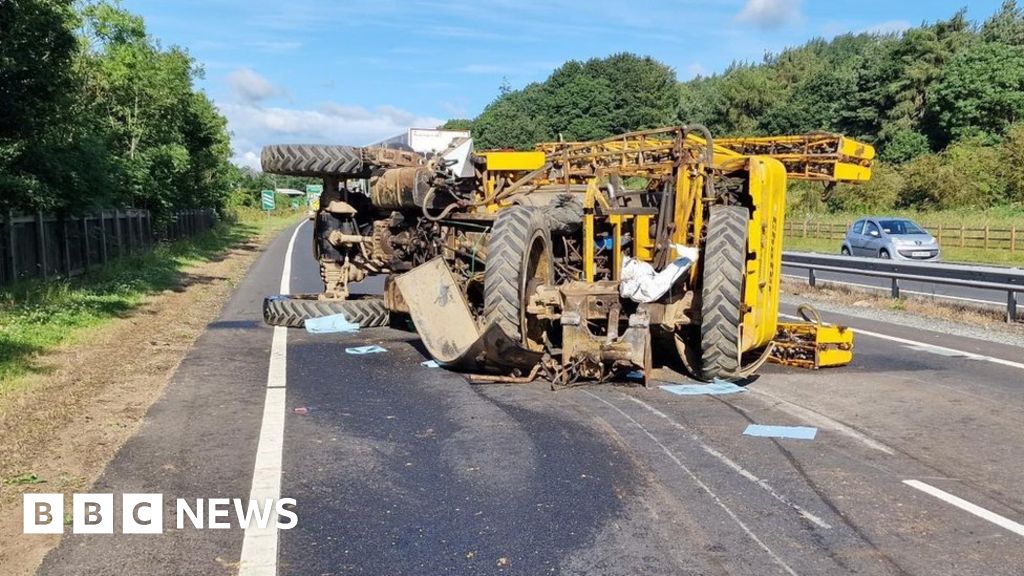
[96,113]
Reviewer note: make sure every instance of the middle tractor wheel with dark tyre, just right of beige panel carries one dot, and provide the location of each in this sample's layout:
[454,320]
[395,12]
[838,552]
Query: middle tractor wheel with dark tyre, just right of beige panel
[519,261]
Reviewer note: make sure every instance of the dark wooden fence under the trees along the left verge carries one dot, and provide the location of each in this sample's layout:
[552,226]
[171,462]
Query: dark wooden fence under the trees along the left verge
[49,246]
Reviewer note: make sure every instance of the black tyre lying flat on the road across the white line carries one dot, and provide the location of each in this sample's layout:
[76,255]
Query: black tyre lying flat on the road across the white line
[293,311]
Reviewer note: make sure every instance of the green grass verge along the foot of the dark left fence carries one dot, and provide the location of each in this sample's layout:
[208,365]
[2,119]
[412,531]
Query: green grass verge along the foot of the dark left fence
[36,317]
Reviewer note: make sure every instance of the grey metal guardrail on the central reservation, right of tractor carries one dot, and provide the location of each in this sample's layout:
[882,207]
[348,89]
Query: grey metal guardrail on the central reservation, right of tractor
[1008,280]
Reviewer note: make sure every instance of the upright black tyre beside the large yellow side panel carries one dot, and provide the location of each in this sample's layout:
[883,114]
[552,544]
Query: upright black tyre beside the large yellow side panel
[722,295]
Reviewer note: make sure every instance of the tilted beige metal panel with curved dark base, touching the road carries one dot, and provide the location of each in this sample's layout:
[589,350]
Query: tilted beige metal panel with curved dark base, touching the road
[447,326]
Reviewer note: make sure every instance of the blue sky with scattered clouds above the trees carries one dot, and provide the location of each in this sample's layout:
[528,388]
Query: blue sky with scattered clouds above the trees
[355,72]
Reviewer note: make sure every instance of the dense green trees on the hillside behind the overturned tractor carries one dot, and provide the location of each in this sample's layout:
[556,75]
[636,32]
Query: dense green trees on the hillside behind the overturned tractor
[943,103]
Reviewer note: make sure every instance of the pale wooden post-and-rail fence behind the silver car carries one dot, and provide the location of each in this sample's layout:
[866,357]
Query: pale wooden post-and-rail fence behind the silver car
[986,238]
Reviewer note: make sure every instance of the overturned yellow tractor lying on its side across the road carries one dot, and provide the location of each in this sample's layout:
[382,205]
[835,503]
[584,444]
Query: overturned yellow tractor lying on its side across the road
[576,262]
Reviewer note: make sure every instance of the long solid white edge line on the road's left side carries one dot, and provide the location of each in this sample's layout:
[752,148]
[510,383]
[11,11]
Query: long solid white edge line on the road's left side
[260,548]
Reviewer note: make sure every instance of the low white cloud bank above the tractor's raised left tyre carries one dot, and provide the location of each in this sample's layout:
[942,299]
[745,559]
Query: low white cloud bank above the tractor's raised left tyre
[254,127]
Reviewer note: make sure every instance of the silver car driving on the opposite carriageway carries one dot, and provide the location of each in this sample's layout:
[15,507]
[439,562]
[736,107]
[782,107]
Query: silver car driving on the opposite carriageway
[899,239]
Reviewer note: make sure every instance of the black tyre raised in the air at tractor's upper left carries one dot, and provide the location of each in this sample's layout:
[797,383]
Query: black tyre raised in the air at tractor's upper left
[313,160]
